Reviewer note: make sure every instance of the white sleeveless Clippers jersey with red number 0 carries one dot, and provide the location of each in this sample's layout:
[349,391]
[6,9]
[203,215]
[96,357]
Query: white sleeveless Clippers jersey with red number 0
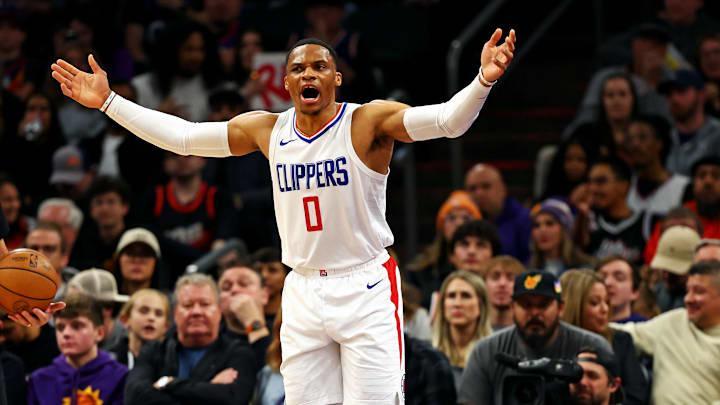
[329,206]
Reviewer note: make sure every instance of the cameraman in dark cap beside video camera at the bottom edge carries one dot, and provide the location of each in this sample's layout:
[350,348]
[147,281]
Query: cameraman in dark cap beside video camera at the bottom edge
[600,384]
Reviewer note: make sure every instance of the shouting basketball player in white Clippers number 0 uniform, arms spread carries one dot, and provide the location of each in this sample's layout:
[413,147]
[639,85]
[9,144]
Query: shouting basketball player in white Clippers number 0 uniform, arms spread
[341,335]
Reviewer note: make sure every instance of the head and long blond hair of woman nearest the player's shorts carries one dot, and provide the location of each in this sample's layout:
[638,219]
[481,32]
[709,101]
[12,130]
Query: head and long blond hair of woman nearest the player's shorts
[463,318]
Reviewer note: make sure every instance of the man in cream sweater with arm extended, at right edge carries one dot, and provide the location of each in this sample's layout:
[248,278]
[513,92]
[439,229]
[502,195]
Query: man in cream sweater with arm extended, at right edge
[684,342]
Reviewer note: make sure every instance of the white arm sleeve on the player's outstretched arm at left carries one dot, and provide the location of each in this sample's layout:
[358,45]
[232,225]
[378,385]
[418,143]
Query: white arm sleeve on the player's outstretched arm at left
[209,139]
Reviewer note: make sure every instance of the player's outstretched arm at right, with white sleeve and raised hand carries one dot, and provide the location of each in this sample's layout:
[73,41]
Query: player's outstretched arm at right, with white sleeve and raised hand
[452,118]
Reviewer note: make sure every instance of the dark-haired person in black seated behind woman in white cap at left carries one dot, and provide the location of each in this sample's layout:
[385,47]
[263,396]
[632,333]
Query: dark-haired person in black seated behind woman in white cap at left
[97,241]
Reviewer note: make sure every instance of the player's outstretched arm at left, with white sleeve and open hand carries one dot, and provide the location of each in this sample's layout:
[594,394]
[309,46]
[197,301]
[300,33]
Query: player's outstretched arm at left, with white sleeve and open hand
[168,132]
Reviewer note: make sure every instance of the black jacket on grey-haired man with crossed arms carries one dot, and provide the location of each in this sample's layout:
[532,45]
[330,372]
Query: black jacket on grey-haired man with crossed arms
[159,359]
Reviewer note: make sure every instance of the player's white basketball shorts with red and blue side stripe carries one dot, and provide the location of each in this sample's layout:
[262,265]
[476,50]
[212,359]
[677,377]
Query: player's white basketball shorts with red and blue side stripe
[341,335]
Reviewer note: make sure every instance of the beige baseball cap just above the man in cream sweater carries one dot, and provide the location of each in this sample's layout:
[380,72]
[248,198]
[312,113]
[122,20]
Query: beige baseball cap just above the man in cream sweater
[676,250]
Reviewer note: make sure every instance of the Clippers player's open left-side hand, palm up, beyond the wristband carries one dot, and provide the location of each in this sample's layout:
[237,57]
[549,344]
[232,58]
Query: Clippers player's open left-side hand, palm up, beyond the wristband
[88,89]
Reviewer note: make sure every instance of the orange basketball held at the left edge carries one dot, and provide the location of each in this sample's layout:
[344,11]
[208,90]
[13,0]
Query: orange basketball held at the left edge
[27,281]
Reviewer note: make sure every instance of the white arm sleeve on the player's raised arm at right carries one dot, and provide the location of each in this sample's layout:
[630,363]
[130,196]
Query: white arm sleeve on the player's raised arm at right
[450,119]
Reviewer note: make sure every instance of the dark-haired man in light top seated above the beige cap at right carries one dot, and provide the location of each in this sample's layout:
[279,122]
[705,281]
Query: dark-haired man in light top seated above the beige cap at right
[653,189]
